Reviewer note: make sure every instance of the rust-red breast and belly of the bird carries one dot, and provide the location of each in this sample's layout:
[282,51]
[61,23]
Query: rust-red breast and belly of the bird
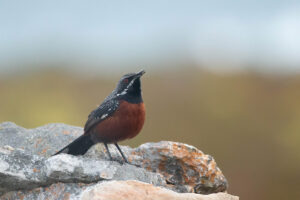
[125,123]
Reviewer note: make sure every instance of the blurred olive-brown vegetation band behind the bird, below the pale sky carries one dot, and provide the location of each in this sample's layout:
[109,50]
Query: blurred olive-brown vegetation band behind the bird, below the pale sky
[248,121]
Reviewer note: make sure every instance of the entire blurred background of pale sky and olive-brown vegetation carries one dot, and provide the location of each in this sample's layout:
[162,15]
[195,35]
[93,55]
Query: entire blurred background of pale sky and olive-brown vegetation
[223,76]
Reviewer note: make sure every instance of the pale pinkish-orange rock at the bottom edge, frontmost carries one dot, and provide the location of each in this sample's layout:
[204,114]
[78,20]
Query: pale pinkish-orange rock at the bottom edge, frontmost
[134,190]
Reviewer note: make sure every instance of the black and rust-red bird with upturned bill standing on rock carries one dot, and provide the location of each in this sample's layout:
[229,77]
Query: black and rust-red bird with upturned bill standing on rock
[119,117]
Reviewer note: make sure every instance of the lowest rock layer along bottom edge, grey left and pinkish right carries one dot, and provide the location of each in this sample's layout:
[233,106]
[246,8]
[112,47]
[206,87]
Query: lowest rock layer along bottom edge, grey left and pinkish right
[111,190]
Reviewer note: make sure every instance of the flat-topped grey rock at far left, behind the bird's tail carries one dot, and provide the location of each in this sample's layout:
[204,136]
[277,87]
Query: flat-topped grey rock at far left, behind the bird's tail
[43,141]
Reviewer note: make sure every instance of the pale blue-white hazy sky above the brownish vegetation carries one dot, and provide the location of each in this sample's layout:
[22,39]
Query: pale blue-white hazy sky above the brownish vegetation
[222,35]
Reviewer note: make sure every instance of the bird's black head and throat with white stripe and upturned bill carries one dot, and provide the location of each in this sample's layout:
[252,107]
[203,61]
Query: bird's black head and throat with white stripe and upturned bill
[129,87]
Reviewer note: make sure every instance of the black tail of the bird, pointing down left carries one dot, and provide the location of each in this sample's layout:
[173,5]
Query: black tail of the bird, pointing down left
[78,146]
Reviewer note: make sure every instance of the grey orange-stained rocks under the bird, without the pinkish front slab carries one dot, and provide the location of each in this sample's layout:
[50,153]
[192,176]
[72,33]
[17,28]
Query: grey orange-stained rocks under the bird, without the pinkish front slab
[28,171]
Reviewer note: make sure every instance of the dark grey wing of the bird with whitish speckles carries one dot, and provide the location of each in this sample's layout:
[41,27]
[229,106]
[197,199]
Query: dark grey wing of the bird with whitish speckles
[106,109]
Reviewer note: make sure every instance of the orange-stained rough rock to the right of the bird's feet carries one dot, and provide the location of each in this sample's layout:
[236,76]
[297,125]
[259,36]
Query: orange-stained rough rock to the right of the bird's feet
[185,168]
